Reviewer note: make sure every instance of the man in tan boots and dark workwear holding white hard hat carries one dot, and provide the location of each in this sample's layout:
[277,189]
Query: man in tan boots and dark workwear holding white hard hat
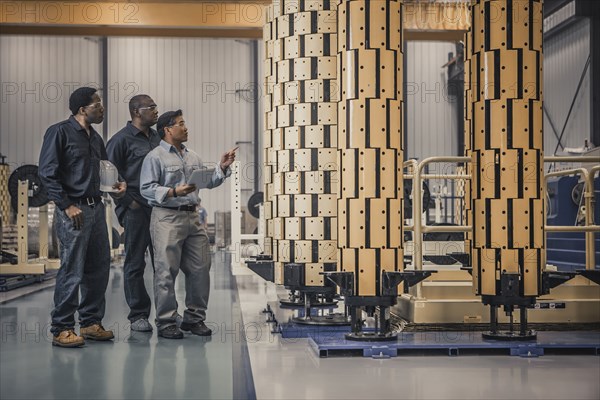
[69,167]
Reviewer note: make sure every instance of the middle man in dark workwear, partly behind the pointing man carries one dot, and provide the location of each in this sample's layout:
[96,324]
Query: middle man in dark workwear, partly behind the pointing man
[126,150]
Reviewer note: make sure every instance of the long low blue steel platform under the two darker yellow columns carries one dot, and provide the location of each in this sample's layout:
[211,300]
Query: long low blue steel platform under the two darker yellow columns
[455,343]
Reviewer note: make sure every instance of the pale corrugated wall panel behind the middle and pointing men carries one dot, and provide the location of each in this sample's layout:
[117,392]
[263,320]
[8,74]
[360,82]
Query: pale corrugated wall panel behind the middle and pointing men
[201,77]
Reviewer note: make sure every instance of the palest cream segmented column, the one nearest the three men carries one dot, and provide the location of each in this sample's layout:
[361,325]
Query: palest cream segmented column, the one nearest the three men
[301,142]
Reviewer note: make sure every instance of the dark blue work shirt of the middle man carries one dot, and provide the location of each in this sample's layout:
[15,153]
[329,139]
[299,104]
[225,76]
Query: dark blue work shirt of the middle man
[126,150]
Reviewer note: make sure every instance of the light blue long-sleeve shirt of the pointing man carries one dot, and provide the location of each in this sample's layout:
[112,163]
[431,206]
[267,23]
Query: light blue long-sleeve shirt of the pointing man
[165,168]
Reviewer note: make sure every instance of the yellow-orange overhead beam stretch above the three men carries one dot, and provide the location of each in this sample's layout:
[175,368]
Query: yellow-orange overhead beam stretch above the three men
[225,19]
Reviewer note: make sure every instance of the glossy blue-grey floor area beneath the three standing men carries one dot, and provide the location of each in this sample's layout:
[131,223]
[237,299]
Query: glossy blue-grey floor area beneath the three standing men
[134,366]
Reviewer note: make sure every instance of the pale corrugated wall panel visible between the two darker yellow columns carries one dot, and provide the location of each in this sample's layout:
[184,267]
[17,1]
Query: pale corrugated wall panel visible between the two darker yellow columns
[430,115]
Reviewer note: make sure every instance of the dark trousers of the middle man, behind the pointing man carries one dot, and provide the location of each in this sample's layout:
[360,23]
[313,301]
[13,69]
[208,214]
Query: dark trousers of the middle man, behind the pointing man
[137,239]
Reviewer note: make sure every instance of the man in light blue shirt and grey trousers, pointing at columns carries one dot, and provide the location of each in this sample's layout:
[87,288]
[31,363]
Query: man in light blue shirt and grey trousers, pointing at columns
[179,241]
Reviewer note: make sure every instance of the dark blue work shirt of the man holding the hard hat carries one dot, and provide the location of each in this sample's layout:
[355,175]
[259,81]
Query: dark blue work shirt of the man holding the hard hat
[70,162]
